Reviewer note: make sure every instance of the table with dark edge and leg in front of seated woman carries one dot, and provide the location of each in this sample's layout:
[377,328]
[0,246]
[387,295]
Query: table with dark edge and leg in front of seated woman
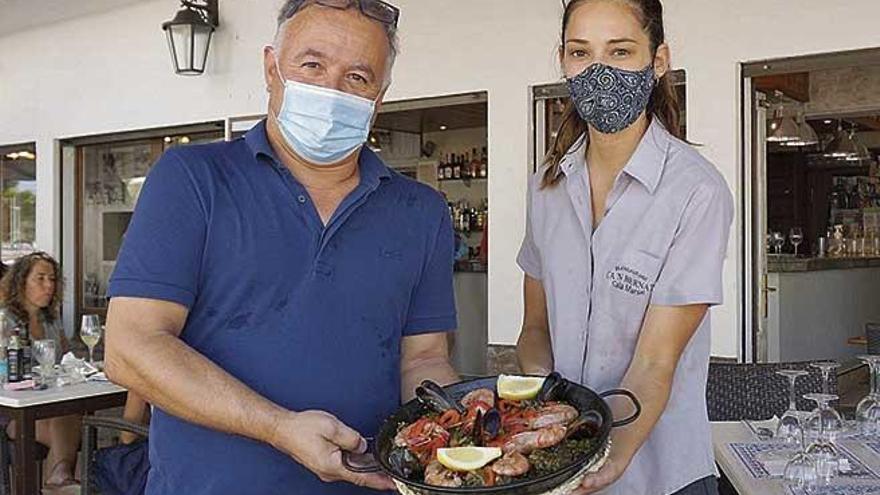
[26,407]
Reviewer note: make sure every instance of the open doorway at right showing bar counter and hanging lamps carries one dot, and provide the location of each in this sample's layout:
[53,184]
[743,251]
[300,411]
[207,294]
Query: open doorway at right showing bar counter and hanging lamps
[811,203]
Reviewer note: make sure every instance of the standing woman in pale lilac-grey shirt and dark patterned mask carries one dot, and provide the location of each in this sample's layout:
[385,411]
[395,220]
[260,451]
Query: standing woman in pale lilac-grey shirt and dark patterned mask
[625,242]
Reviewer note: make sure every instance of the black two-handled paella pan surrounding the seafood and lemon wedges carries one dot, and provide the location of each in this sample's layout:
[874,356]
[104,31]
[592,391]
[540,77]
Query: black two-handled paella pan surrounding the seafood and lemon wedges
[589,403]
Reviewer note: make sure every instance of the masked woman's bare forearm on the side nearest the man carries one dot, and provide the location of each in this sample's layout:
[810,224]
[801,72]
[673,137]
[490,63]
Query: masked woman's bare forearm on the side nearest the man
[533,349]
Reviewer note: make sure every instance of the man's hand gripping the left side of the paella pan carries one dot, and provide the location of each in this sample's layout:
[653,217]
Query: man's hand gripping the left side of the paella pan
[316,440]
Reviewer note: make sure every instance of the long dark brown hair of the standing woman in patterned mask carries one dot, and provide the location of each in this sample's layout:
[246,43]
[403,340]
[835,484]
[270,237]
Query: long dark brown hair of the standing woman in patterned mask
[663,104]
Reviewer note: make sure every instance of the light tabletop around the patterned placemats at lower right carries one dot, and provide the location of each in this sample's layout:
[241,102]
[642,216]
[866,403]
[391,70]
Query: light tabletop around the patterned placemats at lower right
[725,433]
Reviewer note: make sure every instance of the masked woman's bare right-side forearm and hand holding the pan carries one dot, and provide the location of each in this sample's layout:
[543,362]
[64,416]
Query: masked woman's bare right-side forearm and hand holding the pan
[664,336]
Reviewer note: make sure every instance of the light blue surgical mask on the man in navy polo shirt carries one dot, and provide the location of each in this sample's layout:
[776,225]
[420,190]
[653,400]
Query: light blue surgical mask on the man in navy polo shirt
[322,125]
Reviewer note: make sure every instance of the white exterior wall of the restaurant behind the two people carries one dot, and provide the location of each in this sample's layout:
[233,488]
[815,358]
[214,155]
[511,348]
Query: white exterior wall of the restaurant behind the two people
[111,72]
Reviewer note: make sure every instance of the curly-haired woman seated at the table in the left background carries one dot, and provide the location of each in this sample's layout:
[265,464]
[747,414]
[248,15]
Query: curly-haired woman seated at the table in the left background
[31,295]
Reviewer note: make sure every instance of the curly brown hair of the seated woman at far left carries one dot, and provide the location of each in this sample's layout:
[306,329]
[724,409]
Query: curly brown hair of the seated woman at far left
[14,283]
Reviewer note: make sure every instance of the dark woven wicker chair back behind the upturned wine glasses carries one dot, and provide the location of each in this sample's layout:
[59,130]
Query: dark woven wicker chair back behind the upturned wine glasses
[754,391]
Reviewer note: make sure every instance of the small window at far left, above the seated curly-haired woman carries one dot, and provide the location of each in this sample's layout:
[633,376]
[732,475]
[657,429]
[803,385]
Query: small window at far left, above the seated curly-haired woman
[18,208]
